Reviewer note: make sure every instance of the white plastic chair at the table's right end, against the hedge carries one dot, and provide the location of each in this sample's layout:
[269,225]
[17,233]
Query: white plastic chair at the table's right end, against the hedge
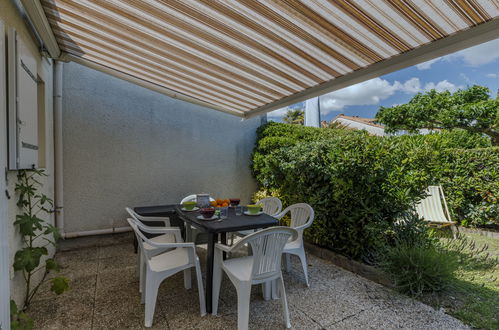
[302,217]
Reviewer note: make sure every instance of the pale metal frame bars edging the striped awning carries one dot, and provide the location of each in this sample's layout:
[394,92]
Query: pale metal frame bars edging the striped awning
[463,39]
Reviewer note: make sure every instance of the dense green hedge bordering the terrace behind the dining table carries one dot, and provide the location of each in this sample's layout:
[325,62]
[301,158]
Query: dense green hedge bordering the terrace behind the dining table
[358,184]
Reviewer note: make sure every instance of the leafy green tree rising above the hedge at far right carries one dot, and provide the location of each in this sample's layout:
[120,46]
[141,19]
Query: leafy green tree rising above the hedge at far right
[471,109]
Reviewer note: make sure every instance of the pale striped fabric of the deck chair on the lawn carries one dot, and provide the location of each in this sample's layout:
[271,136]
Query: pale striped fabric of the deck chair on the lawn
[431,208]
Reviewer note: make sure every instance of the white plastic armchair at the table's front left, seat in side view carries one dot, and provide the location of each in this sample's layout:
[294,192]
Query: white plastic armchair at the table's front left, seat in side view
[158,267]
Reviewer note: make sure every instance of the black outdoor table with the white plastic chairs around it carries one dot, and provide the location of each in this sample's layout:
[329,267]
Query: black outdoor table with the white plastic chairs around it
[166,236]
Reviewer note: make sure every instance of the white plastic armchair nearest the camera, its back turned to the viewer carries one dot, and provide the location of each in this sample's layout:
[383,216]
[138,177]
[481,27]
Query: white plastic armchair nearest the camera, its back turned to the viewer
[263,267]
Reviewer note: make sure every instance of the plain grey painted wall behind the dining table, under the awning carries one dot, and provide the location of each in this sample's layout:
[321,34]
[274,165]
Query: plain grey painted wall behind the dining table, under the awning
[125,145]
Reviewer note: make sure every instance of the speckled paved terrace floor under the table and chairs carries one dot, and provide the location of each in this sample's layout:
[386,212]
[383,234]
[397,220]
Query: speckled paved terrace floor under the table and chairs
[104,295]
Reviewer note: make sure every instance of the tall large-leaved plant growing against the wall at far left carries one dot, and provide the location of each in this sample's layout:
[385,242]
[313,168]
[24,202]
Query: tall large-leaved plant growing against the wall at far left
[36,234]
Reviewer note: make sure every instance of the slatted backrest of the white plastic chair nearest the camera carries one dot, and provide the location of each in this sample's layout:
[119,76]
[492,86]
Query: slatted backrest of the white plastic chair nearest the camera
[267,246]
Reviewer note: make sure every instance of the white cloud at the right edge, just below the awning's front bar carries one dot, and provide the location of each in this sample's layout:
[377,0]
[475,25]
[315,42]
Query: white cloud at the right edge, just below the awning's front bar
[474,56]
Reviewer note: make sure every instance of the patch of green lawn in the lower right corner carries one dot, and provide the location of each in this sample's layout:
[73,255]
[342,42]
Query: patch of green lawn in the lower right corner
[474,296]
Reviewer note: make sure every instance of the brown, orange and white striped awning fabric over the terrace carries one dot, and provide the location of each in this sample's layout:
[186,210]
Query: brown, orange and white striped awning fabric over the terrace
[248,56]
